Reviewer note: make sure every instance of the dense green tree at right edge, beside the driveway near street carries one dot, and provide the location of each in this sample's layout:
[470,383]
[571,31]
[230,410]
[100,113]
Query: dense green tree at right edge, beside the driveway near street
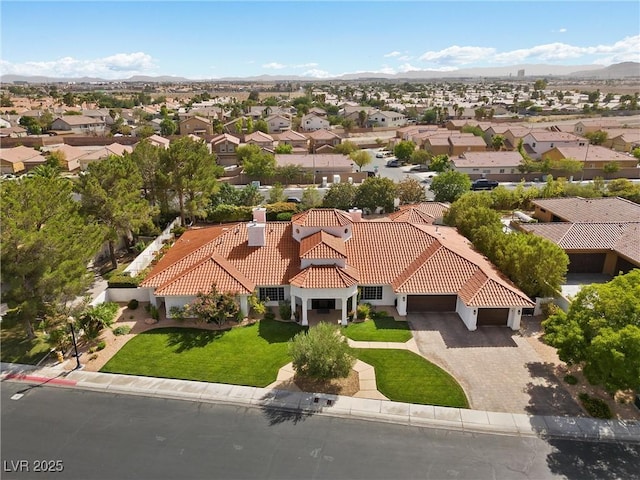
[602,329]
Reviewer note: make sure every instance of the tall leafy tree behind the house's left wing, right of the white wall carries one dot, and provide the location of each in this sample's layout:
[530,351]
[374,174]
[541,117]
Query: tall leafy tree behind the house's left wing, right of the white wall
[190,171]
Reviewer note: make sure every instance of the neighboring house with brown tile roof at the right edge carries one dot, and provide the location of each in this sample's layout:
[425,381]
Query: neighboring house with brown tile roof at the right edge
[600,235]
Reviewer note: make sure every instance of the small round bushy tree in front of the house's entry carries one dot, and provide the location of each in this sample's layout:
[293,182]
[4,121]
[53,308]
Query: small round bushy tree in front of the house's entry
[321,353]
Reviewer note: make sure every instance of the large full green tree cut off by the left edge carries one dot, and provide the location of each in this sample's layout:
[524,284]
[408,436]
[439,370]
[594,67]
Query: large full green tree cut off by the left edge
[46,246]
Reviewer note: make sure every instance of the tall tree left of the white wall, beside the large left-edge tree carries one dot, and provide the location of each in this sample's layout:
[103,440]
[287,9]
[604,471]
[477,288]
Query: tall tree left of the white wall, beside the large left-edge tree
[110,195]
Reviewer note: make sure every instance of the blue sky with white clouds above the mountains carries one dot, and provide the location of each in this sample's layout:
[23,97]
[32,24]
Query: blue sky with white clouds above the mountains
[317,39]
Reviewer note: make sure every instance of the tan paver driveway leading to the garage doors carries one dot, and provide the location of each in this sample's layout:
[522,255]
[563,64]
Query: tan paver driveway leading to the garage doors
[499,369]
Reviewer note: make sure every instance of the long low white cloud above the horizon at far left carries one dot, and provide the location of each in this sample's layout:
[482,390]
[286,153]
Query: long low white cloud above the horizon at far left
[119,65]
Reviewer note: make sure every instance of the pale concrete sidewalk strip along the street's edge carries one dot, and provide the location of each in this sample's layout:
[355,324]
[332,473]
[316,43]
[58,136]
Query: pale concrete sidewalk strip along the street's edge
[332,405]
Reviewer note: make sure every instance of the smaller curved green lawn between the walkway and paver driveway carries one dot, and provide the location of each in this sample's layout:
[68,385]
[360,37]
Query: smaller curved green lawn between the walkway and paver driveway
[403,376]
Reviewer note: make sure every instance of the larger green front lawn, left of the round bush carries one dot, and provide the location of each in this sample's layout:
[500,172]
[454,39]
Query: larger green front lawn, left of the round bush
[250,355]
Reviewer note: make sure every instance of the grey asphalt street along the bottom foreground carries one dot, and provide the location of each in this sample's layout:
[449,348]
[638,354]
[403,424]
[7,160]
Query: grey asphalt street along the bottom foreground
[82,434]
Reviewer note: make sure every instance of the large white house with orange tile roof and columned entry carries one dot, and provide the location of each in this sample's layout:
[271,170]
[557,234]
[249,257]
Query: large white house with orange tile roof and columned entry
[329,259]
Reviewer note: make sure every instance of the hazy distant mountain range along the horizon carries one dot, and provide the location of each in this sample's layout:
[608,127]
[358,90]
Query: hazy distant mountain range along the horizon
[616,71]
